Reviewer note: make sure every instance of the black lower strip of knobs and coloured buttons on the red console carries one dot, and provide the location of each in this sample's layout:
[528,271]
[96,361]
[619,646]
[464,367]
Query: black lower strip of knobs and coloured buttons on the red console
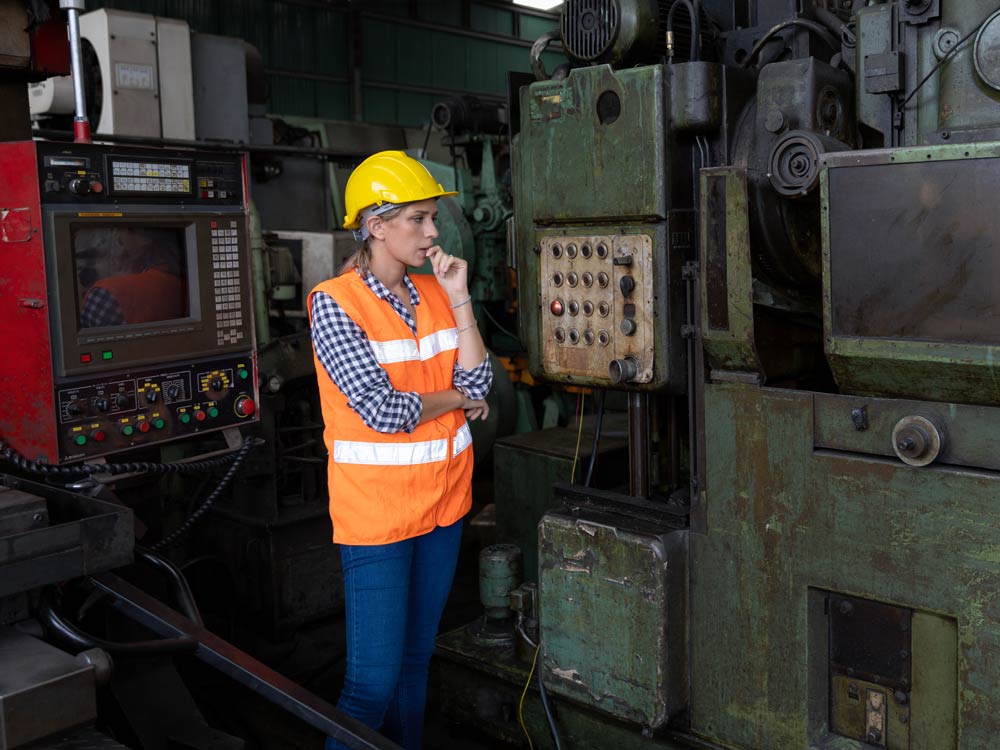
[105,415]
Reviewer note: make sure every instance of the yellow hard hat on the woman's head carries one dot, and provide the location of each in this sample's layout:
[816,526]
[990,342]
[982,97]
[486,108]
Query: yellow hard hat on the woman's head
[388,177]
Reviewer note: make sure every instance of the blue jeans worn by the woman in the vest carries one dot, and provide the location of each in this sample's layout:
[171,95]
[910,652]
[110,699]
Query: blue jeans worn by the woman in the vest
[394,596]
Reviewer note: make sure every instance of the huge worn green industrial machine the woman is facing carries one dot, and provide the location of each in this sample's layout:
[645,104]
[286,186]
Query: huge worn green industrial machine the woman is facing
[775,233]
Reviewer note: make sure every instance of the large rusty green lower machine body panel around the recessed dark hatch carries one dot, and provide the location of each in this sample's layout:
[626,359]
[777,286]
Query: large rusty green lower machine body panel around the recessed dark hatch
[783,518]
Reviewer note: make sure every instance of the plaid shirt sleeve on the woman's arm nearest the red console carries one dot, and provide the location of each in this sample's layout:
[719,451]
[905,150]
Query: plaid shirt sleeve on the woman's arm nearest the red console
[347,356]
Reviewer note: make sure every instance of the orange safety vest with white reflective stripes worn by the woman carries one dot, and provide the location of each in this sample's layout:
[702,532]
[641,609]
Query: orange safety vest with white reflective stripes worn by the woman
[389,487]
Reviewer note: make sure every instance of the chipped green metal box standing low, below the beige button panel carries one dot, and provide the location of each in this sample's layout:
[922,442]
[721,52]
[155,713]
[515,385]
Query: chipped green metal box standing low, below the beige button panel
[612,621]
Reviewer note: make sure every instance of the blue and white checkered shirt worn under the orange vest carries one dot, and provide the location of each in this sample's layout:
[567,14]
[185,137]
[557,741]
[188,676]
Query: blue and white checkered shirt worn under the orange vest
[347,356]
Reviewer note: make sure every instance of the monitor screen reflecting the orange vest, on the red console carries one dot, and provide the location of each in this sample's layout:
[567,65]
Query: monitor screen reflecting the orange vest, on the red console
[128,274]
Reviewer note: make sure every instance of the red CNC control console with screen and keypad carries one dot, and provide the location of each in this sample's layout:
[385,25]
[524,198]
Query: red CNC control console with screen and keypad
[128,281]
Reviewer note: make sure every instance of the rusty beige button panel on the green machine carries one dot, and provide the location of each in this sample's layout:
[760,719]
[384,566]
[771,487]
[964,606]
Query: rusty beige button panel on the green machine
[597,307]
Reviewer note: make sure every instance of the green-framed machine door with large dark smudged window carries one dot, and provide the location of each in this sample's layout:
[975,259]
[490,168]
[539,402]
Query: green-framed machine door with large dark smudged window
[932,338]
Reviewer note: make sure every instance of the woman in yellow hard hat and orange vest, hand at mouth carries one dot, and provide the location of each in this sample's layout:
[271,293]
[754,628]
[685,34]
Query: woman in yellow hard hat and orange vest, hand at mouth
[401,365]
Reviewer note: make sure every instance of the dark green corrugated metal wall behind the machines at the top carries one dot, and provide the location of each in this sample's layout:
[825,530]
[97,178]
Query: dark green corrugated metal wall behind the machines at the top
[411,53]
